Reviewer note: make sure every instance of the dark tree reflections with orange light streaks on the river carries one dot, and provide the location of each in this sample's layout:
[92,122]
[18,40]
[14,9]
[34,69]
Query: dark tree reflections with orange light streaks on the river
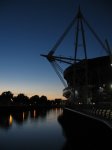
[19,117]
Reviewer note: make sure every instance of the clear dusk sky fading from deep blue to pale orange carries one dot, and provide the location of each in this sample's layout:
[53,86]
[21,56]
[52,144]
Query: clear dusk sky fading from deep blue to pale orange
[29,28]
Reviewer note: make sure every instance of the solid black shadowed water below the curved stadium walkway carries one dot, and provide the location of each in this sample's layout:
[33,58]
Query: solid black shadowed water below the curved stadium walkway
[82,133]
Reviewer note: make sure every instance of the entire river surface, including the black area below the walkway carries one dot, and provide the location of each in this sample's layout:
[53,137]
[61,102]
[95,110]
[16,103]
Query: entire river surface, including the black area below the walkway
[52,129]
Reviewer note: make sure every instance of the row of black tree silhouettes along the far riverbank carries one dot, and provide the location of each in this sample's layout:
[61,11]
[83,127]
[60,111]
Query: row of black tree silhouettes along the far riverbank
[7,99]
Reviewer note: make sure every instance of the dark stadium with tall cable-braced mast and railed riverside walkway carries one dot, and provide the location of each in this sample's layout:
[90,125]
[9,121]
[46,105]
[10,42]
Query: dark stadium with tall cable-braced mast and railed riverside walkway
[84,97]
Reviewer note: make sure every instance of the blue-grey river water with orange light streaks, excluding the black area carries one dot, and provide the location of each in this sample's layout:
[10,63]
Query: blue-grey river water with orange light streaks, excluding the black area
[34,130]
